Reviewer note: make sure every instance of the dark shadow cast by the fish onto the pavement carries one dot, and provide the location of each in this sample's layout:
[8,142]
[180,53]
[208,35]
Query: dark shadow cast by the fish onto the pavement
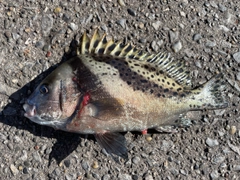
[13,115]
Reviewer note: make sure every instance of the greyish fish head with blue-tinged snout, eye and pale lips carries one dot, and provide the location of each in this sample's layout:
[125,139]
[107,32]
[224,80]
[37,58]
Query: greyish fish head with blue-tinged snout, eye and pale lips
[55,99]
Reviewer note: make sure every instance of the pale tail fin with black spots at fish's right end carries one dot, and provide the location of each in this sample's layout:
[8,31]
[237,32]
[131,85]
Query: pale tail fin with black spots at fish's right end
[210,94]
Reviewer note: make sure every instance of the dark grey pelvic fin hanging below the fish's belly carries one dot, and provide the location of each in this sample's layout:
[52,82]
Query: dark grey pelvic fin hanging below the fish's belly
[114,143]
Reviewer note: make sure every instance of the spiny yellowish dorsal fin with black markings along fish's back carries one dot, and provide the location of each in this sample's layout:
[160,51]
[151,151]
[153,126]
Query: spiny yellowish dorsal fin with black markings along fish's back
[100,45]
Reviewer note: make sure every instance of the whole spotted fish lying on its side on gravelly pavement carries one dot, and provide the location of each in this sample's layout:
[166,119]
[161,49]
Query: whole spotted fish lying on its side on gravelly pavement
[110,88]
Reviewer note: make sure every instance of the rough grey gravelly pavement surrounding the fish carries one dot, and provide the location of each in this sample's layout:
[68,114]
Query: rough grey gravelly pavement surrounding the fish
[37,35]
